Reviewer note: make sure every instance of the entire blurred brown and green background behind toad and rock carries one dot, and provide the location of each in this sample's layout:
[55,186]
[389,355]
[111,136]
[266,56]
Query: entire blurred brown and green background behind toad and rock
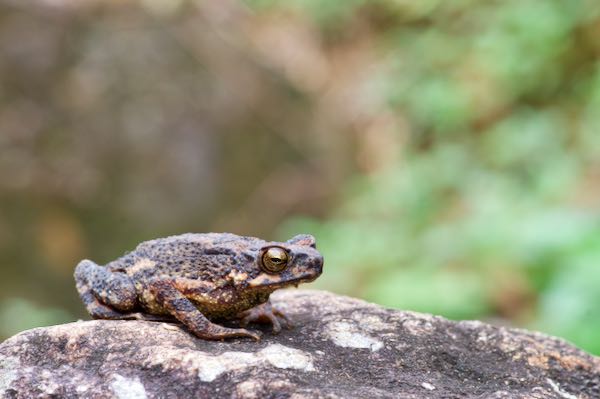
[446,155]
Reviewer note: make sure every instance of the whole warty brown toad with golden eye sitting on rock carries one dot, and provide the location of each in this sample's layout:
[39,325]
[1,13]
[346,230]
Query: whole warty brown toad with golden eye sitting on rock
[196,278]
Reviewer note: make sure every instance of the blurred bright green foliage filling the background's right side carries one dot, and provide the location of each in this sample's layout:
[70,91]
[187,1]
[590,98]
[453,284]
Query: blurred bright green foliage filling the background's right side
[490,209]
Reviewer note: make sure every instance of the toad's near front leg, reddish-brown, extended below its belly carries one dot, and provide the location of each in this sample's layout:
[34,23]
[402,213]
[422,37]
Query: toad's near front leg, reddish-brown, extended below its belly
[184,310]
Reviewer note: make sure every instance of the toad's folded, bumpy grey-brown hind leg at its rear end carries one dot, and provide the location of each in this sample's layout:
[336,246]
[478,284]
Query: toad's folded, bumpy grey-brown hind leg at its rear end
[106,295]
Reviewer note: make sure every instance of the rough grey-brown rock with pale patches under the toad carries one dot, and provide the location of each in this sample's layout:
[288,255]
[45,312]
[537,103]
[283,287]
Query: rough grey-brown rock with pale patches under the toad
[340,348]
